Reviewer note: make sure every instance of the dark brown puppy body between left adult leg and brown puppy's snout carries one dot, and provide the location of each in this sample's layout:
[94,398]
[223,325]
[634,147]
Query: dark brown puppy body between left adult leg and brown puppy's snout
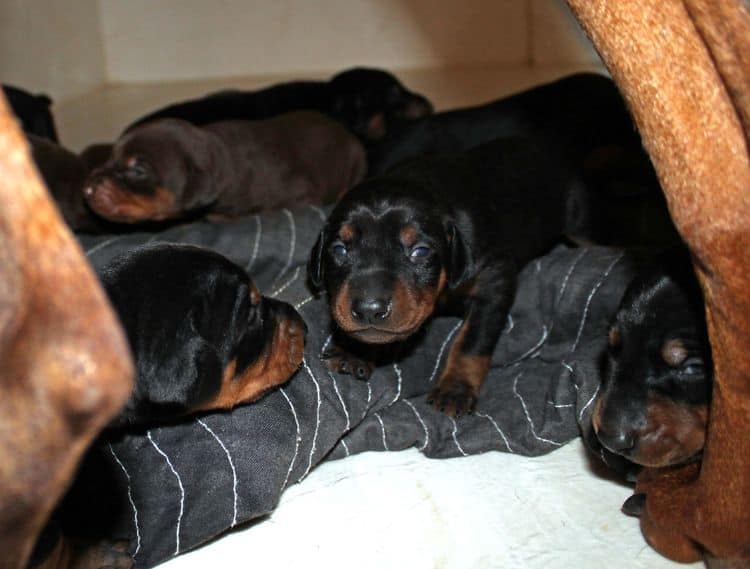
[65,174]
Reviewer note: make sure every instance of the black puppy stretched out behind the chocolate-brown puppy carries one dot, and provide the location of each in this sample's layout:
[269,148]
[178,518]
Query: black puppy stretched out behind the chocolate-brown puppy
[367,101]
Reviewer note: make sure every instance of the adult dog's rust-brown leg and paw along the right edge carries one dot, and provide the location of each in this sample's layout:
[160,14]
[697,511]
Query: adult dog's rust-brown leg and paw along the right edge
[683,67]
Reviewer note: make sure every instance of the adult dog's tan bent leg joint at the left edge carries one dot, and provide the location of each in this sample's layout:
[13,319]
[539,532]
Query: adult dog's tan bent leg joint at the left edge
[65,368]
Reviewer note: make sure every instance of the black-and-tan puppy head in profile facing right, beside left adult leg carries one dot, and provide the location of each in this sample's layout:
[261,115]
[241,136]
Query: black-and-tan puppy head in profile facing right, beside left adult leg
[202,335]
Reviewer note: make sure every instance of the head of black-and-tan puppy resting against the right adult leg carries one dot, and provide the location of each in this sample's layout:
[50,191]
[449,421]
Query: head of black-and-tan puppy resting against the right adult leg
[653,404]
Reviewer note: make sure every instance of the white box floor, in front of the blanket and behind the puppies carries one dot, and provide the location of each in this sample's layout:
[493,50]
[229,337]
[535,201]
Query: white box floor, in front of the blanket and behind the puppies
[399,509]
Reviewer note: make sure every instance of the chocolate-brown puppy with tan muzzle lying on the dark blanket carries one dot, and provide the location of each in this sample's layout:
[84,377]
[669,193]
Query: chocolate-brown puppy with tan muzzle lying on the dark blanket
[170,169]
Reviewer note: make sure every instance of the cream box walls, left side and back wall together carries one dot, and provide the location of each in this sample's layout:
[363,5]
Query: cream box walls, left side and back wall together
[67,48]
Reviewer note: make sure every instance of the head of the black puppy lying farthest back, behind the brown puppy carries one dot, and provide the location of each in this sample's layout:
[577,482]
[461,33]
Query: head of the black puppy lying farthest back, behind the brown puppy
[369,101]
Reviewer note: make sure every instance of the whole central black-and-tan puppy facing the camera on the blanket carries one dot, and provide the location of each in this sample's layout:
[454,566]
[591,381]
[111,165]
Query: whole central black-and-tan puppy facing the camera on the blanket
[447,227]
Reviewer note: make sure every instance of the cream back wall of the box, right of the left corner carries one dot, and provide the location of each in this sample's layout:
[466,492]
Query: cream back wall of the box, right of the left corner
[155,40]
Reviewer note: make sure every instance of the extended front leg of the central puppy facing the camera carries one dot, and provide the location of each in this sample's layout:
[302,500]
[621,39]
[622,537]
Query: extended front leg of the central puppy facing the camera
[486,306]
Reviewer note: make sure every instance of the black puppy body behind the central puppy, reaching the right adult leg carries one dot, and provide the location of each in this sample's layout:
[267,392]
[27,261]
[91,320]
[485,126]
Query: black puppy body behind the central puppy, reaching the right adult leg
[581,118]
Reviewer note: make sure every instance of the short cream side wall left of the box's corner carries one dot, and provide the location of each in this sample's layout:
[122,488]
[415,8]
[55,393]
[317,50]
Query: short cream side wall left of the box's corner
[51,46]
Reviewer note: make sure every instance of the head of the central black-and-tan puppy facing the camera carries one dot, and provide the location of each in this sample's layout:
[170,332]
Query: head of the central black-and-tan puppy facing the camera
[384,257]
